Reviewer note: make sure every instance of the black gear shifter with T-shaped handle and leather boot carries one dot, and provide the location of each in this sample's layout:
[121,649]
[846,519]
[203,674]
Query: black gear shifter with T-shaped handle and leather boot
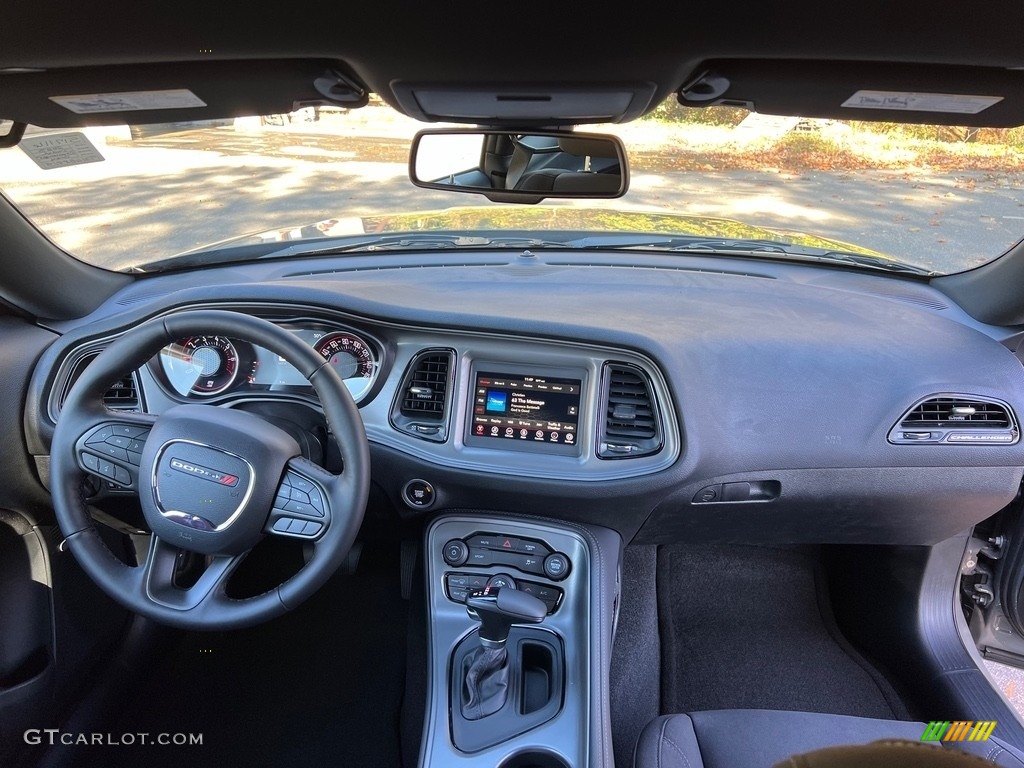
[487,672]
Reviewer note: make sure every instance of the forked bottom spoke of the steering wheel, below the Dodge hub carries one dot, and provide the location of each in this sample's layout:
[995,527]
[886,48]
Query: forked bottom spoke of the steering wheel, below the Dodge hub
[169,577]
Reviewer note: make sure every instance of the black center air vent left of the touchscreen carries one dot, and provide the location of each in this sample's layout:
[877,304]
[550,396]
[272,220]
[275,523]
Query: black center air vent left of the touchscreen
[422,406]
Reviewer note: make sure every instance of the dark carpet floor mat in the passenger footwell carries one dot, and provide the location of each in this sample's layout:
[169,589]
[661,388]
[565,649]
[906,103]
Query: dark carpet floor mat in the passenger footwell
[743,628]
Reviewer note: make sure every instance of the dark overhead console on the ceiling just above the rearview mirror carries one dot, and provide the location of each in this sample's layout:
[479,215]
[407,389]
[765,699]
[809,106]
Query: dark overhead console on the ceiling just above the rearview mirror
[524,104]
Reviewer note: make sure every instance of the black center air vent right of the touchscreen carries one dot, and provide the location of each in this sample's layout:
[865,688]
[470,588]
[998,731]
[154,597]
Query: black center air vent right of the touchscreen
[630,422]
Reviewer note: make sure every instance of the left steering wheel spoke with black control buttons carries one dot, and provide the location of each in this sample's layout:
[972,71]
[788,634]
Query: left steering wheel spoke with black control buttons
[112,449]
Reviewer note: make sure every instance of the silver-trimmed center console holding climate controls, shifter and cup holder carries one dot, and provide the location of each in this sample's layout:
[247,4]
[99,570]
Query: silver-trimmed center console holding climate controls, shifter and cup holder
[522,616]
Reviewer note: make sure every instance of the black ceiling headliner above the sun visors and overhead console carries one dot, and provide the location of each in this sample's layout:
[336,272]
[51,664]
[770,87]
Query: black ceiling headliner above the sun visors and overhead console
[549,44]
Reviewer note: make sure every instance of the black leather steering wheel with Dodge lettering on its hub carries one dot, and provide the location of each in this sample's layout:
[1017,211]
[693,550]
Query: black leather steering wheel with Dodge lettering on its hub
[210,481]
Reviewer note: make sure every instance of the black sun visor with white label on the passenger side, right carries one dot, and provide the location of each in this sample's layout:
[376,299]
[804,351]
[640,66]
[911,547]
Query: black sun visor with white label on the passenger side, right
[889,93]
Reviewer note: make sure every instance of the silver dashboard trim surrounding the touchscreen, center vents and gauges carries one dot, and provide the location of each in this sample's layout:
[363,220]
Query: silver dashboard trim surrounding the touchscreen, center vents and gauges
[405,343]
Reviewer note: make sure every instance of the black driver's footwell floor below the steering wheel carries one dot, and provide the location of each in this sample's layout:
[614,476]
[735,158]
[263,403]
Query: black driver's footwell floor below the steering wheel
[322,686]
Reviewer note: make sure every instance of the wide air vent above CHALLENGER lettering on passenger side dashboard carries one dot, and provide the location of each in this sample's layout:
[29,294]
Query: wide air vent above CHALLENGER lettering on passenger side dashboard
[957,419]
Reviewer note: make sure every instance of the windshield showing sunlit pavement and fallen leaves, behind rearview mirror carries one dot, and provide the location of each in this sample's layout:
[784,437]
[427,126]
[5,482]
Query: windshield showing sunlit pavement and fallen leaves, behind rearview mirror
[144,198]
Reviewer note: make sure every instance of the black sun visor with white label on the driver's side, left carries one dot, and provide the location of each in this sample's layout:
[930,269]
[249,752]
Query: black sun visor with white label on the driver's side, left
[175,93]
